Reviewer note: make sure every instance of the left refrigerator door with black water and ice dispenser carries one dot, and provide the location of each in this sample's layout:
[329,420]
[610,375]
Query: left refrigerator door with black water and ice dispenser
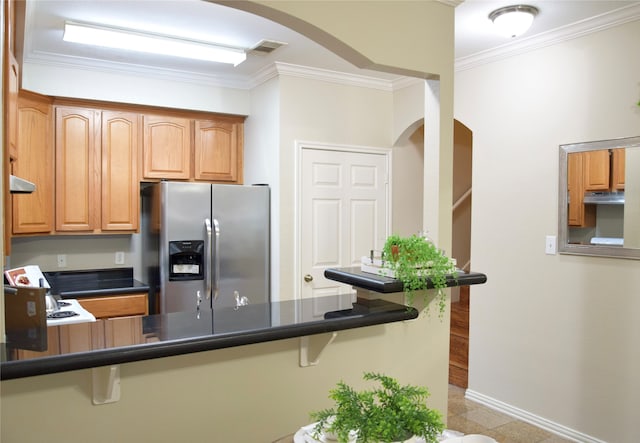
[184,261]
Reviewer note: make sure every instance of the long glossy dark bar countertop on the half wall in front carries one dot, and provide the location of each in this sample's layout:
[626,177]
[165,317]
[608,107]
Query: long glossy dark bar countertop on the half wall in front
[157,336]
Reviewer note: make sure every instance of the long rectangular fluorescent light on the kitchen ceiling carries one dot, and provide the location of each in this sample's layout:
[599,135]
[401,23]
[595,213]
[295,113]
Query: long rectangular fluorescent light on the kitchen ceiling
[151,43]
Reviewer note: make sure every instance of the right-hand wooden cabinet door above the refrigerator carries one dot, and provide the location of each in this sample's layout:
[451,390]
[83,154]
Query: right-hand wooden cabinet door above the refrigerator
[218,149]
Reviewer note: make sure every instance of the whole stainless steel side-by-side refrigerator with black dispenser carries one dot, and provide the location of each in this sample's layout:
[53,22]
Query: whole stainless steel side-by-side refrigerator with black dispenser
[206,246]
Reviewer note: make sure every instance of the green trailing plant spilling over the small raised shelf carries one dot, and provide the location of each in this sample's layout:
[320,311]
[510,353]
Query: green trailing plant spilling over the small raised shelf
[415,261]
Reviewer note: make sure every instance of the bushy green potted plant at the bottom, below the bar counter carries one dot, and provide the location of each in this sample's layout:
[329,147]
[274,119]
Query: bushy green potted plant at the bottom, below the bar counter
[387,413]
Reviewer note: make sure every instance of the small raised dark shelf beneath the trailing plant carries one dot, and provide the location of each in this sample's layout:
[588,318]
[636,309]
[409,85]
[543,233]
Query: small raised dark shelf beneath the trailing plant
[354,276]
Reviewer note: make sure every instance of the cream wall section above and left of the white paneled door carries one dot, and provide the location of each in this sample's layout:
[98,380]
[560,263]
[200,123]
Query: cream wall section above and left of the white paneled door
[312,112]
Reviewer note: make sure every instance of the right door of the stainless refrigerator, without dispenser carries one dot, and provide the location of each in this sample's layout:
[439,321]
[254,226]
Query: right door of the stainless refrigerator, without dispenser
[241,265]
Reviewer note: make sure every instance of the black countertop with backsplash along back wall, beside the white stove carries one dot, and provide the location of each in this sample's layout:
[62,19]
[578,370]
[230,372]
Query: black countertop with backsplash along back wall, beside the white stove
[94,282]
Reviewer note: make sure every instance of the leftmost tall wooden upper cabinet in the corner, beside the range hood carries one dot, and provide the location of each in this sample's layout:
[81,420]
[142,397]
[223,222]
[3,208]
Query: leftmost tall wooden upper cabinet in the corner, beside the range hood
[33,213]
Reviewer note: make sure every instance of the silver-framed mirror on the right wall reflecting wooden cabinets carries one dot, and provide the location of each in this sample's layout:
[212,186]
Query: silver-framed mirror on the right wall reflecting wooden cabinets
[599,201]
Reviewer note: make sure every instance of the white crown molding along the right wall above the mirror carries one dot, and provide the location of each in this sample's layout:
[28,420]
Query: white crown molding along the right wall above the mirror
[581,28]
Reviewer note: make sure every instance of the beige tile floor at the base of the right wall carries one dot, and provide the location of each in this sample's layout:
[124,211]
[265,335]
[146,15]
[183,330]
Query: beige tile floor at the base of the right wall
[469,417]
